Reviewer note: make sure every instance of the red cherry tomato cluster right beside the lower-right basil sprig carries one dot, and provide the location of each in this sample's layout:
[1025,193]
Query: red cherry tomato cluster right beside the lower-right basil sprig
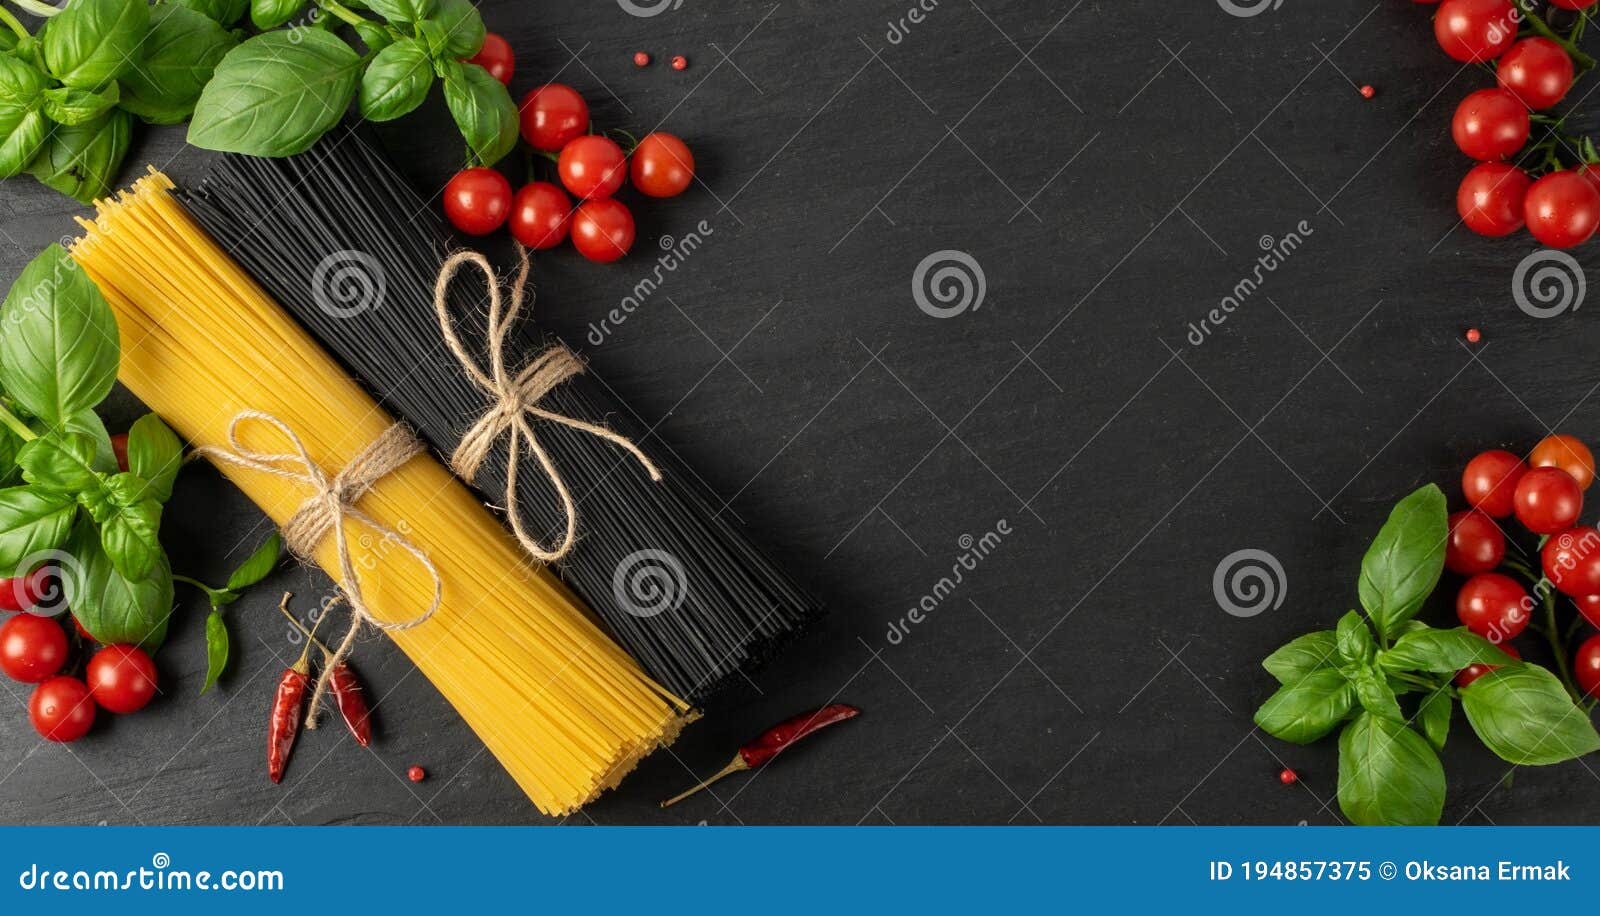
[1546,496]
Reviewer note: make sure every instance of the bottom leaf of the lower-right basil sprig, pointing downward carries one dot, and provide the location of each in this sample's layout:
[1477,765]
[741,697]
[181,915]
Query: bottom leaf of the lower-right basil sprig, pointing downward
[1388,774]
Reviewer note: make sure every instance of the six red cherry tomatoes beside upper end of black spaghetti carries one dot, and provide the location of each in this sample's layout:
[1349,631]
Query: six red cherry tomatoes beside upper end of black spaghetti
[590,167]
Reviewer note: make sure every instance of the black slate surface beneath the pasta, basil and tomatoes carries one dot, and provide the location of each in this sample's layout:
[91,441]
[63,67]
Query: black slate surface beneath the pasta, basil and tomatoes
[1113,169]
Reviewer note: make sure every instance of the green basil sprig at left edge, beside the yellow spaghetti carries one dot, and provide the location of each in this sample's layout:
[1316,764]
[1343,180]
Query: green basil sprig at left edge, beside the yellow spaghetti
[68,504]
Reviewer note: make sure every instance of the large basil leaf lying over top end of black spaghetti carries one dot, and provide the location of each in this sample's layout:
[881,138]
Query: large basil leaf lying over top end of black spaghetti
[276,94]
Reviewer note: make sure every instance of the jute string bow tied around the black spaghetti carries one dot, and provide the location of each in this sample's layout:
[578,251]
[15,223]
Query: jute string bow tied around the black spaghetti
[516,400]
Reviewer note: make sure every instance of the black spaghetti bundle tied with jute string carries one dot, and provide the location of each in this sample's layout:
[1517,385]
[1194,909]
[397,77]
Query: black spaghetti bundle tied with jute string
[340,239]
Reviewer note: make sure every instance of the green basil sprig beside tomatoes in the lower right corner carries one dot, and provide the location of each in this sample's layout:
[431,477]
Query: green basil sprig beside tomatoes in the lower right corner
[1386,678]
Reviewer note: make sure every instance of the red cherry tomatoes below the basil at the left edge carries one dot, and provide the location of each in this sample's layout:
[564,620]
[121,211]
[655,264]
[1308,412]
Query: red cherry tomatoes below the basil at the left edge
[38,651]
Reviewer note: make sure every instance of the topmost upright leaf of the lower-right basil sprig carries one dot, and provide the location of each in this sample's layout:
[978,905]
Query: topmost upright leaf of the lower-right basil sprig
[1406,560]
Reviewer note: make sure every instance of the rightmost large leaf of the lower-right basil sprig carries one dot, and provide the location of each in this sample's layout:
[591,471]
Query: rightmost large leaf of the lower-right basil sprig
[1524,715]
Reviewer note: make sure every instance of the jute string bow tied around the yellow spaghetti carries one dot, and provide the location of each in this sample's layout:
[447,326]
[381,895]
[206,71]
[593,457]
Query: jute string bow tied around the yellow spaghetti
[332,502]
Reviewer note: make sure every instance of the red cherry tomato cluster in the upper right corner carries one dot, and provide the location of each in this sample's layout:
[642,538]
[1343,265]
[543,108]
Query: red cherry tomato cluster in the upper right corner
[1556,199]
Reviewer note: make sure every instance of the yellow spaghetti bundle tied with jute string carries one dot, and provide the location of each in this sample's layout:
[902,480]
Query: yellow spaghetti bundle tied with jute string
[564,710]
